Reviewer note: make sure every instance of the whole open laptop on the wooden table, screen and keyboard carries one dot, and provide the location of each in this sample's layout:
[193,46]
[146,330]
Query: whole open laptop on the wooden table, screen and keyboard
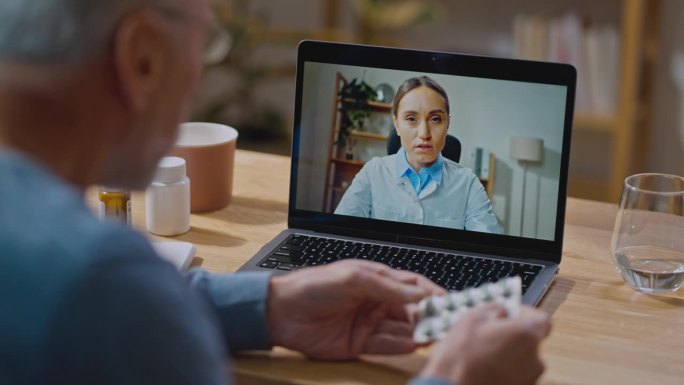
[496,210]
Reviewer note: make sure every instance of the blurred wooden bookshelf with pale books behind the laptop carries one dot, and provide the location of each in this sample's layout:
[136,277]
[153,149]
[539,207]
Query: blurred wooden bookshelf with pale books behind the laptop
[615,47]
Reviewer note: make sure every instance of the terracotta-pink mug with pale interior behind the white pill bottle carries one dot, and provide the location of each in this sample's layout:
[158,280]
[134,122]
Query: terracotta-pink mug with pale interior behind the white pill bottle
[209,152]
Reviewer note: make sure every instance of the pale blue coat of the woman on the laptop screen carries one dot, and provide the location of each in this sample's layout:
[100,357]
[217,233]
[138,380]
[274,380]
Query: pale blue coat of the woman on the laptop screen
[381,191]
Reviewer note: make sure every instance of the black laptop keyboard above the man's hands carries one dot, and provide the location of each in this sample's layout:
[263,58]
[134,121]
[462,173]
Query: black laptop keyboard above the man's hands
[451,271]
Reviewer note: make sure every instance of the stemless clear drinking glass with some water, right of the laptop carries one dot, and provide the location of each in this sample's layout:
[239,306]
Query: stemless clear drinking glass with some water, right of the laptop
[648,238]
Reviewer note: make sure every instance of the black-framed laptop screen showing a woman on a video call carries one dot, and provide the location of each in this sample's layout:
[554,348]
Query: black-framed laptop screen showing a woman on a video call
[452,144]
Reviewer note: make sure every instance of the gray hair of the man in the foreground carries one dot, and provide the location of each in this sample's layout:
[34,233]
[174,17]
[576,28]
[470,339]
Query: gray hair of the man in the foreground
[40,31]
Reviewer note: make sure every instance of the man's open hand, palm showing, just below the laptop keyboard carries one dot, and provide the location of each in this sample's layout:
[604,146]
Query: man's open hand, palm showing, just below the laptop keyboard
[344,309]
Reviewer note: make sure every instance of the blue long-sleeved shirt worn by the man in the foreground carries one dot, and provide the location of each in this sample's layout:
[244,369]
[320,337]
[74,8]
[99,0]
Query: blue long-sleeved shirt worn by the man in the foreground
[89,302]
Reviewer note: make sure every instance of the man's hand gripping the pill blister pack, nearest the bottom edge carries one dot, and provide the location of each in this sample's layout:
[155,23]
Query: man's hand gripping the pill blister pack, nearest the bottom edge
[485,348]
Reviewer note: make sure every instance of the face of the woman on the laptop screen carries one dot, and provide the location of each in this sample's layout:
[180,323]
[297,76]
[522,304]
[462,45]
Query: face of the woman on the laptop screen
[422,122]
